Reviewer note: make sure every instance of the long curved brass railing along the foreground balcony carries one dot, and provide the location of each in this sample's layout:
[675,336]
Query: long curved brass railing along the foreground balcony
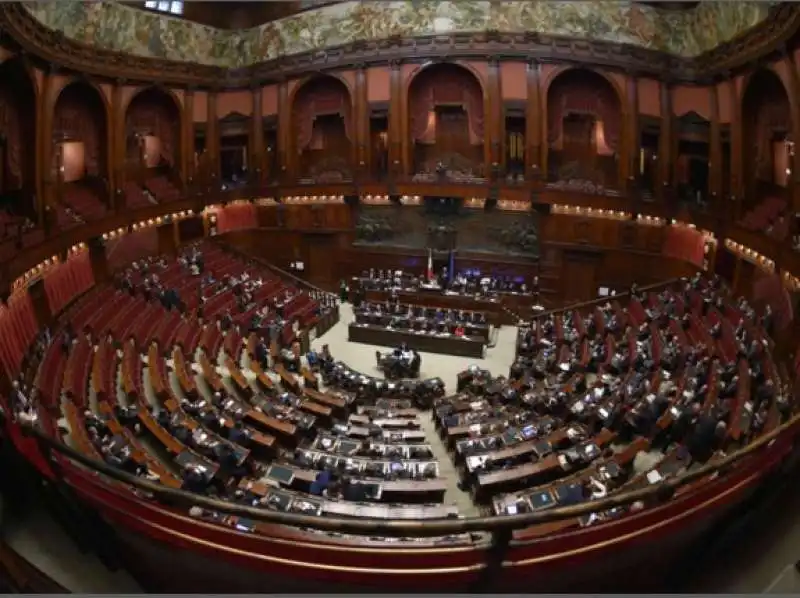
[422,528]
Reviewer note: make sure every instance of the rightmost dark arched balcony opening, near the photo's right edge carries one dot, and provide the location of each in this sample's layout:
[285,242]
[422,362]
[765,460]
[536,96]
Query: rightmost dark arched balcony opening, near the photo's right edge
[767,142]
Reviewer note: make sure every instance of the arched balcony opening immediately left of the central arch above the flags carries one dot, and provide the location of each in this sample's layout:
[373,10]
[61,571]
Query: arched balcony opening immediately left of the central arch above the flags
[323,130]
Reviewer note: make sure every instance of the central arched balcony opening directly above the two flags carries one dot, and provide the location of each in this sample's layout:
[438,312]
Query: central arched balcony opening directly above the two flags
[445,120]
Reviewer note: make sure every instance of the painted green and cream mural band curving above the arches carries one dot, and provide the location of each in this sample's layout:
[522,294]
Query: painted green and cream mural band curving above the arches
[114,26]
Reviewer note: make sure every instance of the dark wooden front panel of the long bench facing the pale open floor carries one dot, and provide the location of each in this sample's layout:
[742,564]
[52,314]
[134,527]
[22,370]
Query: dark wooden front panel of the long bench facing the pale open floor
[445,345]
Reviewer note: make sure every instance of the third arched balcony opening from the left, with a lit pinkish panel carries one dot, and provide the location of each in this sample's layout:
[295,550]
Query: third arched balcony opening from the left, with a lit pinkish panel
[152,148]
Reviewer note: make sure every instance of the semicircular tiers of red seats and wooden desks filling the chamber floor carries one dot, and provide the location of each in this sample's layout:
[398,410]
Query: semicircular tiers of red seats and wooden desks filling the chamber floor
[189,388]
